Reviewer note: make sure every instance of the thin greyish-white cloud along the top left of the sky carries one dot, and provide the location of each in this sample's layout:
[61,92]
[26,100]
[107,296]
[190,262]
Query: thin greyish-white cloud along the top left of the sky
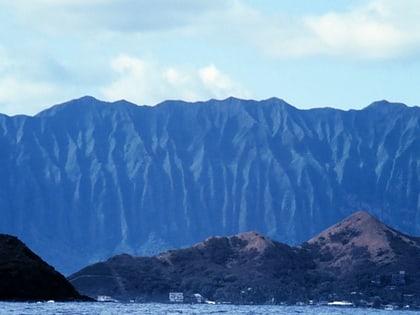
[112,15]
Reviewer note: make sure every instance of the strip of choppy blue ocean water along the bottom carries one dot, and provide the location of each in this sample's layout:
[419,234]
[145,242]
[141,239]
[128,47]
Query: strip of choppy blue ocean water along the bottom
[181,309]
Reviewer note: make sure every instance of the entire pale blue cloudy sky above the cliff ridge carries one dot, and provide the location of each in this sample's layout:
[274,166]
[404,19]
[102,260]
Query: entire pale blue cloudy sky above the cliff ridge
[343,54]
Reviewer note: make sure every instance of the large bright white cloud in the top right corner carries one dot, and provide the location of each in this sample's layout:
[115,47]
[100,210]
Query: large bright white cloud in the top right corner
[376,29]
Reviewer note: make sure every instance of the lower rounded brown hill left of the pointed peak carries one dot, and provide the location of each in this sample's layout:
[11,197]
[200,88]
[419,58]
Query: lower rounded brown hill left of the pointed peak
[244,268]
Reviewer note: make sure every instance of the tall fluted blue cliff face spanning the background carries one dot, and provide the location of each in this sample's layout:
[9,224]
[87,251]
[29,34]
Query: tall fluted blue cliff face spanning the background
[87,179]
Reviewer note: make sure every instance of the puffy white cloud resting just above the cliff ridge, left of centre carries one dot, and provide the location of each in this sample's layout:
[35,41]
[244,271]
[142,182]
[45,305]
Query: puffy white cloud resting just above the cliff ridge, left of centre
[148,82]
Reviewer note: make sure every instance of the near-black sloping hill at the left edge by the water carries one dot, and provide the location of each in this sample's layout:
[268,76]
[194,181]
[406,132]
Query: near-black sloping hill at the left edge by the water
[24,276]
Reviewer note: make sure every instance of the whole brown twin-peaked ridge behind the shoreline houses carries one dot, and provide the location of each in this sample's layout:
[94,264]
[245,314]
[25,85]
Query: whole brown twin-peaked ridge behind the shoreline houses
[357,259]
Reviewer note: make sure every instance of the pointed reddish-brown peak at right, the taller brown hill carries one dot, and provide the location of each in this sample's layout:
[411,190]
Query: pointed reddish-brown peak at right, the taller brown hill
[360,240]
